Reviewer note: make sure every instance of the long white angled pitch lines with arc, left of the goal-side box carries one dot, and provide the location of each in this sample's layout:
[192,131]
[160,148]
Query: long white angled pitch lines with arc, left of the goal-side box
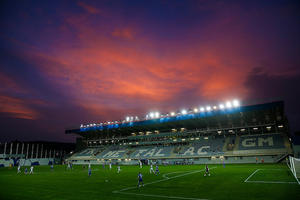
[162,180]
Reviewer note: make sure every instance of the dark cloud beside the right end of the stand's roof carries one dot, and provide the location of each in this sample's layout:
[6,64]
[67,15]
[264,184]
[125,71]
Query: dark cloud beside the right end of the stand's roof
[264,86]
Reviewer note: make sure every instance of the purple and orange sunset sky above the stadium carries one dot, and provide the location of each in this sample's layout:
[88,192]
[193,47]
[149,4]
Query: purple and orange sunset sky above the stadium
[63,63]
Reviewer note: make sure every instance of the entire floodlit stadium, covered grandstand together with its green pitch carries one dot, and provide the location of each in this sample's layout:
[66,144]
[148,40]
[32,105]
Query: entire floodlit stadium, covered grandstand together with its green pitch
[245,147]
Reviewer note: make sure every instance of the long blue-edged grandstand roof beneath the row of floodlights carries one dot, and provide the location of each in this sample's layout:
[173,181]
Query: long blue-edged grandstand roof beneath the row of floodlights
[234,116]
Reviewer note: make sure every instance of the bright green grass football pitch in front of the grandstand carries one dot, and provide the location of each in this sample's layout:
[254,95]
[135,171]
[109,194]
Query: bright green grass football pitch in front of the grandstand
[268,181]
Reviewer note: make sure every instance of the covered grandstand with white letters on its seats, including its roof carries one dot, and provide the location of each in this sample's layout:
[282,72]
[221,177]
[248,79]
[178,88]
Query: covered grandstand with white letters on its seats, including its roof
[228,134]
